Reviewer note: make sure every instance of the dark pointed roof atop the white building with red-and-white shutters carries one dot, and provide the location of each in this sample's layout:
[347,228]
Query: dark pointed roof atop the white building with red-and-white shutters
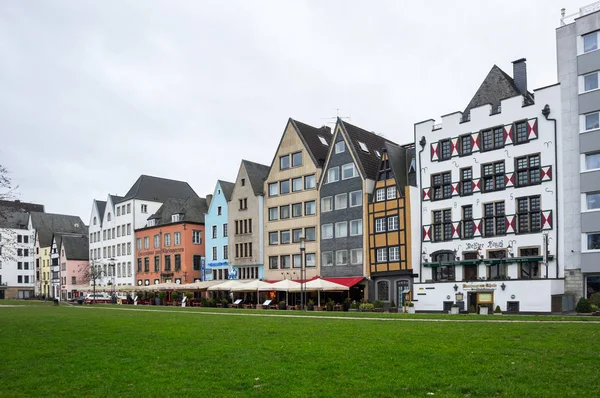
[496,87]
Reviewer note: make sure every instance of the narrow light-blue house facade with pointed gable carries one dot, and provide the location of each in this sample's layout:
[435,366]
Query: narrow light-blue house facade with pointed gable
[217,232]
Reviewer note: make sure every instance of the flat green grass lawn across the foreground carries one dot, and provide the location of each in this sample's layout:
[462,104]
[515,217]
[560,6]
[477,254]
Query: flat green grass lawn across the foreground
[98,351]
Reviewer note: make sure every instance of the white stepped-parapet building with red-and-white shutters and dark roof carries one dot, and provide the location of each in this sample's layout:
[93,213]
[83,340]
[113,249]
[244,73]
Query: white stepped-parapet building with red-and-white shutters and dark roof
[489,201]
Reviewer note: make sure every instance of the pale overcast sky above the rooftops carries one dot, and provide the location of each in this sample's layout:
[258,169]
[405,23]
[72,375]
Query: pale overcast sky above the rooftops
[94,94]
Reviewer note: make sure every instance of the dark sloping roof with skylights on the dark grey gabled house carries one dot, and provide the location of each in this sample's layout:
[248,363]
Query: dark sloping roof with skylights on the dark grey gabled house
[368,162]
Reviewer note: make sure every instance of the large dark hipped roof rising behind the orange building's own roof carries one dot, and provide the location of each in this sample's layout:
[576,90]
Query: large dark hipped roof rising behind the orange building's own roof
[158,189]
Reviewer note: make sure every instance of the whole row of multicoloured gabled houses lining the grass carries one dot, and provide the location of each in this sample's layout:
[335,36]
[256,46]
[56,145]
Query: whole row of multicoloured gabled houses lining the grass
[497,204]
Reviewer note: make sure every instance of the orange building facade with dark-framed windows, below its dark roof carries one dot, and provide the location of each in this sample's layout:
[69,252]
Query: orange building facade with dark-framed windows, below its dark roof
[172,252]
